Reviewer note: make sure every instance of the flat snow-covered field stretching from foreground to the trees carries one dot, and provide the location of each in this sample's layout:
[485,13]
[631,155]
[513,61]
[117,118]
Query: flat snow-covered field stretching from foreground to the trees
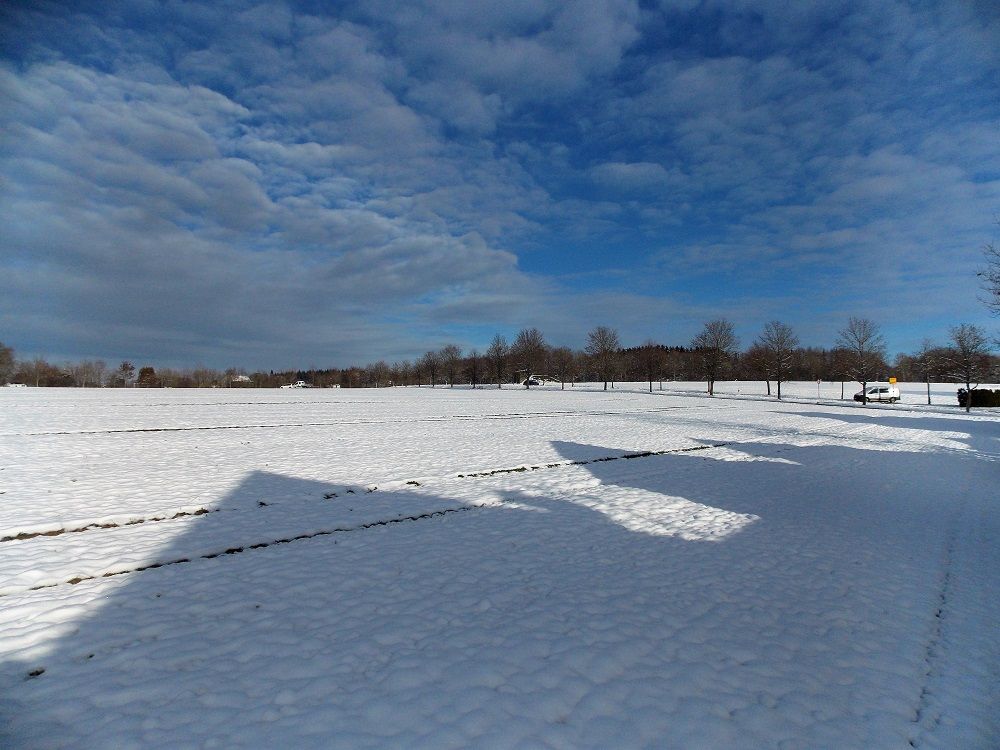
[453,568]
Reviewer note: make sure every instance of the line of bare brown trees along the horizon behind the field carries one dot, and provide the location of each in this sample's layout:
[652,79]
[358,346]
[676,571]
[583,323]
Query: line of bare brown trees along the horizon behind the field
[774,356]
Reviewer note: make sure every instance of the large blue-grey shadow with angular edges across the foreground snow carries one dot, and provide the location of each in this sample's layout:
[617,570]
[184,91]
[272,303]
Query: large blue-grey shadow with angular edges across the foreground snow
[543,621]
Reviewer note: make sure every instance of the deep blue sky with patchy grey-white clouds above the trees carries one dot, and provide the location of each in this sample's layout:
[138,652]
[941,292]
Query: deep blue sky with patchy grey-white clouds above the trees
[278,184]
